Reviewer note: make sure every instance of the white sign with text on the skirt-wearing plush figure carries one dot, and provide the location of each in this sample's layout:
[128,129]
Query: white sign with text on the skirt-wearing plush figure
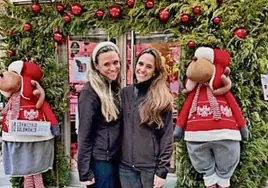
[31,128]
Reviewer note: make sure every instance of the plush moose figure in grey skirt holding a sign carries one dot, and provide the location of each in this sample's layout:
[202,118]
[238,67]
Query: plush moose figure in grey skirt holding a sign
[29,125]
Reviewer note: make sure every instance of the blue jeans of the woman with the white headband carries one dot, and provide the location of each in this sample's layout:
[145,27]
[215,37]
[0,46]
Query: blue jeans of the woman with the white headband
[106,175]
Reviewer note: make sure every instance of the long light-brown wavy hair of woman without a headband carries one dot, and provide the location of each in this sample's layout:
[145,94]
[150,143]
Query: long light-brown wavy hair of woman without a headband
[159,98]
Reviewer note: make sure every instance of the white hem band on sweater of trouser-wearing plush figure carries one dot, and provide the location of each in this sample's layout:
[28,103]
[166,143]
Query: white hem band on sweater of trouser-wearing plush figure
[212,135]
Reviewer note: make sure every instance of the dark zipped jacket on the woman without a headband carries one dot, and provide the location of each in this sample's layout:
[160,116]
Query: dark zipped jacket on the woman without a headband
[144,147]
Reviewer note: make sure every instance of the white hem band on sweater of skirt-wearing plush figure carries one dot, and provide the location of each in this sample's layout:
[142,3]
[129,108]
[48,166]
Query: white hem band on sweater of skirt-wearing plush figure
[19,138]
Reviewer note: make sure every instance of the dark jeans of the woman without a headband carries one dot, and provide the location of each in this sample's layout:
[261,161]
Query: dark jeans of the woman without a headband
[135,178]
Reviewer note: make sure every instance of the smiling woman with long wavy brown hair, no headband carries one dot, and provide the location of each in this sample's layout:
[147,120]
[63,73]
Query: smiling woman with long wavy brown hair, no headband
[147,125]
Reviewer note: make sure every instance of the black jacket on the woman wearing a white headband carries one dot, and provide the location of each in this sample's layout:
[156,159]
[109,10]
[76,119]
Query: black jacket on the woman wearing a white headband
[97,139]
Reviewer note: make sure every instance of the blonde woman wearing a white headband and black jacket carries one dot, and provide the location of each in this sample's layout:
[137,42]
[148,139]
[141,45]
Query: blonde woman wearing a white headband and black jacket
[98,109]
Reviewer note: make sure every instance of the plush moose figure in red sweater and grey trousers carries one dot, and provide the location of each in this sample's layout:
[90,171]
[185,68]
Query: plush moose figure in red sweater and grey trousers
[211,120]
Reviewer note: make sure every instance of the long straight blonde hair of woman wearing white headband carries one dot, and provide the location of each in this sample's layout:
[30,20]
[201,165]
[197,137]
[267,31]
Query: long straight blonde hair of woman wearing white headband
[109,109]
